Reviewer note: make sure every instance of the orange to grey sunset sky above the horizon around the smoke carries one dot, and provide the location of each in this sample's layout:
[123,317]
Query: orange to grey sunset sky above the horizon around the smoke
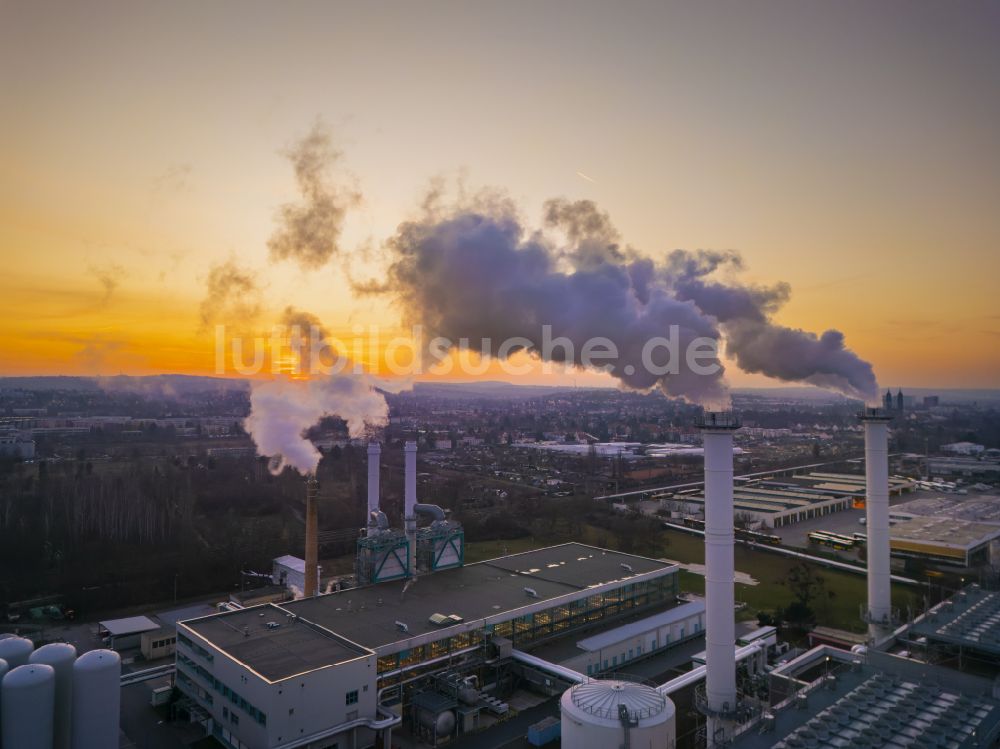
[851,149]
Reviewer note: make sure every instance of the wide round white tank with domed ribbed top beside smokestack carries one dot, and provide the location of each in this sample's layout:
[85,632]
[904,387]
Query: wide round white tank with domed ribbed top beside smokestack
[596,715]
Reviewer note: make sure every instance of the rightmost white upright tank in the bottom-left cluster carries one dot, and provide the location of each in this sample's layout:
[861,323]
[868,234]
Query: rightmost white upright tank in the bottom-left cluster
[96,700]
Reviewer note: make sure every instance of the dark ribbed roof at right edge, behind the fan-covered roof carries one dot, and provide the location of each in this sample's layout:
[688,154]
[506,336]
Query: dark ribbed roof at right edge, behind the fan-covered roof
[970,618]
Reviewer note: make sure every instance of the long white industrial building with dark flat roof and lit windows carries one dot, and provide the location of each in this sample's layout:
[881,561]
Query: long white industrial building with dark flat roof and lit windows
[320,671]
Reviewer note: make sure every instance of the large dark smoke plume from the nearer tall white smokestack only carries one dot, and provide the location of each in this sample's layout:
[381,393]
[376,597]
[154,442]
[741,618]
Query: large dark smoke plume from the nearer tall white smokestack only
[475,274]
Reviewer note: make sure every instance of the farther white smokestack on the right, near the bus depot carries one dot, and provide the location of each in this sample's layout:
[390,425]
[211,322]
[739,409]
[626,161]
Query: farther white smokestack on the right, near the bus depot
[879,614]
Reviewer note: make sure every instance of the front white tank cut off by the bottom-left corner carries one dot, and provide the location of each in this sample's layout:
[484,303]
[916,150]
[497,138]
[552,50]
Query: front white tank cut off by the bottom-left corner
[28,704]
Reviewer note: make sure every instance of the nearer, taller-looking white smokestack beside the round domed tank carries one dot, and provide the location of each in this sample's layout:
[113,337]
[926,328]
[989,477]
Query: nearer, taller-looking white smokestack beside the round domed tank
[720,619]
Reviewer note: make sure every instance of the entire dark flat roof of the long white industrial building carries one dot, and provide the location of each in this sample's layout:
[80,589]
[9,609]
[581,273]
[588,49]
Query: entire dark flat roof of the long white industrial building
[368,616]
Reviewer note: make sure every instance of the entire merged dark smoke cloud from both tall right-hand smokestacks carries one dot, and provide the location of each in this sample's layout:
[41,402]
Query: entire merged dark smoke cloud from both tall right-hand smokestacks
[473,271]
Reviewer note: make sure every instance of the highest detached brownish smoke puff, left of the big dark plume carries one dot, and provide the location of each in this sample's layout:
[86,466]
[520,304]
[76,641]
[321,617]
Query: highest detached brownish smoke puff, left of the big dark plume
[309,230]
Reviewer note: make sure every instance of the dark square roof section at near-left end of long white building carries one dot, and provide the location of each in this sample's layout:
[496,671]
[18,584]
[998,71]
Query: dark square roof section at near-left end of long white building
[292,647]
